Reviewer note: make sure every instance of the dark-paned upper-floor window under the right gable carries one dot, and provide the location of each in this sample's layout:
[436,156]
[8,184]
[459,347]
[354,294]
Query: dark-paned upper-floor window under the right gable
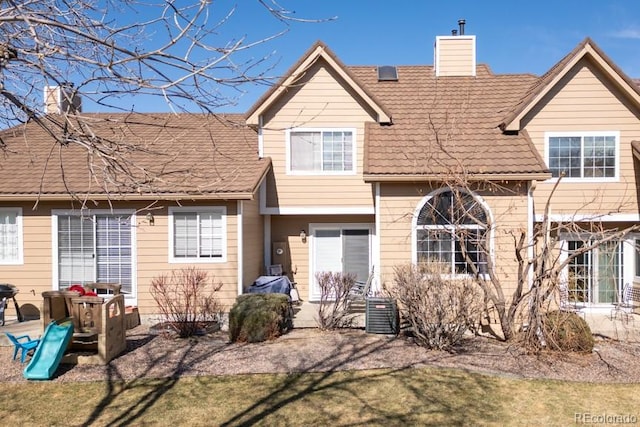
[590,155]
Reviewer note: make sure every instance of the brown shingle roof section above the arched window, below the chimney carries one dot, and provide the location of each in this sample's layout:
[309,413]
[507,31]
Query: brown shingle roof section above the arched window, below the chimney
[447,125]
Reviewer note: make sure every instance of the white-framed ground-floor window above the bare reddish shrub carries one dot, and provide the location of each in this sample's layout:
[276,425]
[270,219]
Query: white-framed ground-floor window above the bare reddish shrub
[198,234]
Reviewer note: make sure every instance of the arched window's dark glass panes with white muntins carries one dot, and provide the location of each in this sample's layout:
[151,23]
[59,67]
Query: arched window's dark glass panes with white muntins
[452,229]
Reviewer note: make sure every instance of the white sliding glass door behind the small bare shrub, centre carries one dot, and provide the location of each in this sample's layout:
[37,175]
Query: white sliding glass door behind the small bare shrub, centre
[339,248]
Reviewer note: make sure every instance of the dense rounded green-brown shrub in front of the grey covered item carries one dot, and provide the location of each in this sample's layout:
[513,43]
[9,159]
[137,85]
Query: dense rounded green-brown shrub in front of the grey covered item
[259,317]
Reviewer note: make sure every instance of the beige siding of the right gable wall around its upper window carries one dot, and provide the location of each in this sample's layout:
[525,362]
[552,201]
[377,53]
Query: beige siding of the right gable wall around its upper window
[585,101]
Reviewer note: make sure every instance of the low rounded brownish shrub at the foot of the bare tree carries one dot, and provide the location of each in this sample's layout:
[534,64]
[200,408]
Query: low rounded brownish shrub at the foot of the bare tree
[565,331]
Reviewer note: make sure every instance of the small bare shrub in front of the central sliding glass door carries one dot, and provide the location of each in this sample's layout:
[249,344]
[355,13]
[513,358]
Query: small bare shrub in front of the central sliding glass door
[333,311]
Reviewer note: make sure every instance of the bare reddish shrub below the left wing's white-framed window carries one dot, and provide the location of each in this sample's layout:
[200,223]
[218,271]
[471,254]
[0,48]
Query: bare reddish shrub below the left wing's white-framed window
[186,299]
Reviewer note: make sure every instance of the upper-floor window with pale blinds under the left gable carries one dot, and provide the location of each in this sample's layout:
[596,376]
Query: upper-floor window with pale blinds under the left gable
[322,151]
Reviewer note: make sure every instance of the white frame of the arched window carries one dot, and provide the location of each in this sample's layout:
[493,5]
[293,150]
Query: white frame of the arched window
[489,230]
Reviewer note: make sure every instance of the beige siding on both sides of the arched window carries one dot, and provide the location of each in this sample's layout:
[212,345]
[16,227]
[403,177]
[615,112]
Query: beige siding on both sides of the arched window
[398,203]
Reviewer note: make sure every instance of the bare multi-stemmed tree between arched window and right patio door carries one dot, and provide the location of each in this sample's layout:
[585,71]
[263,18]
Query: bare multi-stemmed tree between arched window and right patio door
[542,263]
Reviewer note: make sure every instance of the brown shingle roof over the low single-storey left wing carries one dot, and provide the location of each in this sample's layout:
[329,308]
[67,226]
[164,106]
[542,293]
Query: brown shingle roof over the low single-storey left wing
[174,156]
